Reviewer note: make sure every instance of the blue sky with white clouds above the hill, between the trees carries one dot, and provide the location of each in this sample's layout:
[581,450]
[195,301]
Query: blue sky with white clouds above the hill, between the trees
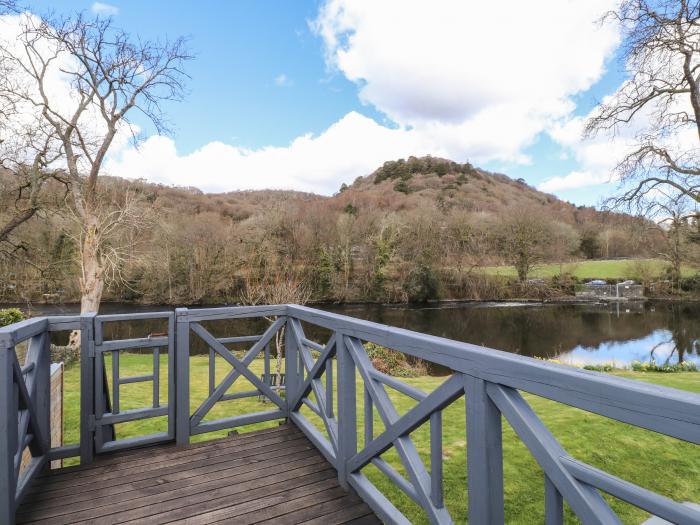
[263,77]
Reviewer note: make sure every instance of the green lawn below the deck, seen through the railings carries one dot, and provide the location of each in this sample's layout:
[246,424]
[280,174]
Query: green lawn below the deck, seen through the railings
[662,464]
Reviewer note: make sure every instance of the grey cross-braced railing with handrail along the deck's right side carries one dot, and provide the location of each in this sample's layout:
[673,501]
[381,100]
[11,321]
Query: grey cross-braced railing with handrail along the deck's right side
[490,382]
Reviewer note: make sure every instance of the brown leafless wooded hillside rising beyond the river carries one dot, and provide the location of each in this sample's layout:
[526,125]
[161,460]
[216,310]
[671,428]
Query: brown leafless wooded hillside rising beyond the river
[413,230]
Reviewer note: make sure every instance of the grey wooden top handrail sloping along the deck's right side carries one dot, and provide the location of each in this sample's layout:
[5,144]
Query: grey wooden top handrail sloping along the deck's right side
[662,409]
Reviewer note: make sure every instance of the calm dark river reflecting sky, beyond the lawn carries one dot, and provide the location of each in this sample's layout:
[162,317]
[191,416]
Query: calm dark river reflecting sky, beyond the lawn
[575,333]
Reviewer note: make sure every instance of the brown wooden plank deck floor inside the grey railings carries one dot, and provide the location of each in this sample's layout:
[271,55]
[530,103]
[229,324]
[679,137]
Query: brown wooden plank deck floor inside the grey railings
[270,476]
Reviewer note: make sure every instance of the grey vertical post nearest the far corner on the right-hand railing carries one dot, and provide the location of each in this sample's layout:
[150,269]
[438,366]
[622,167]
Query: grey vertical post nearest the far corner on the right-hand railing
[347,410]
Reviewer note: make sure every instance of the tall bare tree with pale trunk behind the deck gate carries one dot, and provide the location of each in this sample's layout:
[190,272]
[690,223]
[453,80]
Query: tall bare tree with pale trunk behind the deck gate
[111,76]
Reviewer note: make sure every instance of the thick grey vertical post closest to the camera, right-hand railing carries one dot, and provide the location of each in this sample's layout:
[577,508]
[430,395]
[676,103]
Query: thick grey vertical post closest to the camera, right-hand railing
[484,455]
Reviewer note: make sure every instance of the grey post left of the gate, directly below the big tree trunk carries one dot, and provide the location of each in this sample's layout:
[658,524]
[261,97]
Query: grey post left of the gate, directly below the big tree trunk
[87,387]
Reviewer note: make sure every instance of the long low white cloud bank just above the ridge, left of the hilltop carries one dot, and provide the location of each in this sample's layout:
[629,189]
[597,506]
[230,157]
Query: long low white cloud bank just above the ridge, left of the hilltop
[355,145]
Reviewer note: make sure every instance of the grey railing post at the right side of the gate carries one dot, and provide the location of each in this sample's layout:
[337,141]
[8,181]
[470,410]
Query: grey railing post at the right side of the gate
[182,377]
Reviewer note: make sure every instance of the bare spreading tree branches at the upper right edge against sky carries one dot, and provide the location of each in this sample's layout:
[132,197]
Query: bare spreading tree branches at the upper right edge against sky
[658,104]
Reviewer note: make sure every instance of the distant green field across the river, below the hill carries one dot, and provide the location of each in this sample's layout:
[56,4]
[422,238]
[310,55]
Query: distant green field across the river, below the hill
[605,269]
